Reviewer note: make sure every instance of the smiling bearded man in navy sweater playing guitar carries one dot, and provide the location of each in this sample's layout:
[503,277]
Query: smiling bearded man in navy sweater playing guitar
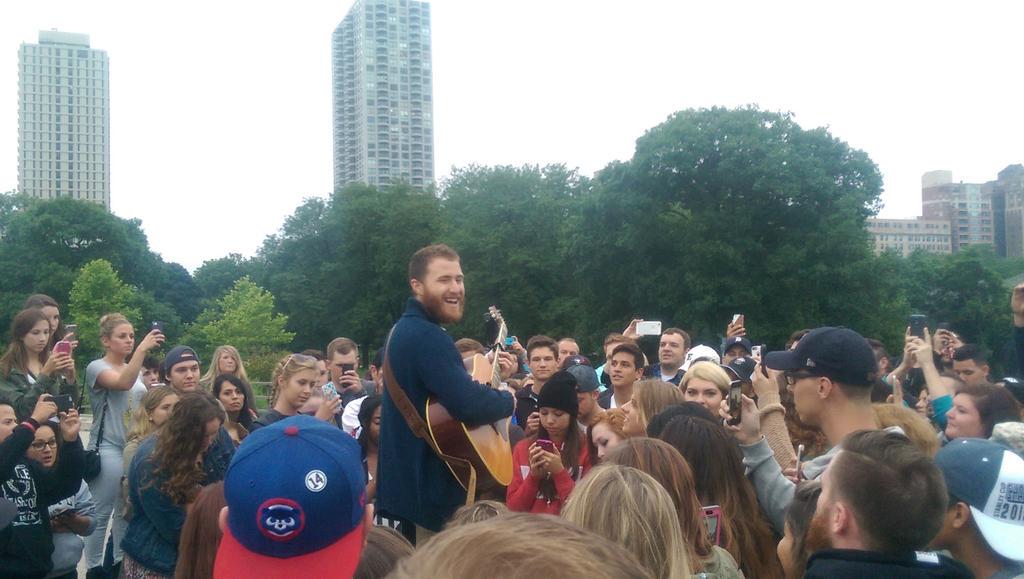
[414,483]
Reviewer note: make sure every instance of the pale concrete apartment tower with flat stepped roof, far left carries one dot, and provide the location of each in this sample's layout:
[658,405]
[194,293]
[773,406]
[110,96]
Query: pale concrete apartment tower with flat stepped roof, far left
[64,121]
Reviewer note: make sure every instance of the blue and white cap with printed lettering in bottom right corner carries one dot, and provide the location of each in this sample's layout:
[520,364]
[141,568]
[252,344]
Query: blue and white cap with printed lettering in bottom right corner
[991,479]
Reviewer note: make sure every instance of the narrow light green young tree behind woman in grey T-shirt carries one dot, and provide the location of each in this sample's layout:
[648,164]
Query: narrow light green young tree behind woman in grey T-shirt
[97,293]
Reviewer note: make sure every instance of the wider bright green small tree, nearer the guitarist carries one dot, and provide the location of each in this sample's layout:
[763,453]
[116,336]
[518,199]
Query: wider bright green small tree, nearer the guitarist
[244,318]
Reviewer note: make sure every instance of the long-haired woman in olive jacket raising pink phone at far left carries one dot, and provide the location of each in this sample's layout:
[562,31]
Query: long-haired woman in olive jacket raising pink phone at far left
[28,369]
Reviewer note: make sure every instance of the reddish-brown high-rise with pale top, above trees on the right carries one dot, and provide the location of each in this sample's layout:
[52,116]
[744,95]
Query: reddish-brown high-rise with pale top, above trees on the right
[963,205]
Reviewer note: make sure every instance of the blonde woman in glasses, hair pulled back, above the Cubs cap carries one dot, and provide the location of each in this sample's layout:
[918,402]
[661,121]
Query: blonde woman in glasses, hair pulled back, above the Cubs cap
[293,384]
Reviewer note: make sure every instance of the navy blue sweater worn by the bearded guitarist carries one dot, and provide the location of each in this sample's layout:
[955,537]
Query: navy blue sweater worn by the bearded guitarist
[413,483]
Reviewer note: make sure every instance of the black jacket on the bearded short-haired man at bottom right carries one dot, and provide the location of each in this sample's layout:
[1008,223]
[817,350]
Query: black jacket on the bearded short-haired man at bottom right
[842,564]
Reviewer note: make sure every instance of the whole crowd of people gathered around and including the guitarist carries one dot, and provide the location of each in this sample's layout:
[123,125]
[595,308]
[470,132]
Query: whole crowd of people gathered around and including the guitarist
[824,459]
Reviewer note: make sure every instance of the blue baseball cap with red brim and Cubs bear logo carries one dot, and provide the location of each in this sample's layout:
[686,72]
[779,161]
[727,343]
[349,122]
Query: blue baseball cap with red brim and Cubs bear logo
[296,502]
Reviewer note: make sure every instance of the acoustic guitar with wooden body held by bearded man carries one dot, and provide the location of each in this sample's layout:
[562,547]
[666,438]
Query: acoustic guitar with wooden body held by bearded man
[485,449]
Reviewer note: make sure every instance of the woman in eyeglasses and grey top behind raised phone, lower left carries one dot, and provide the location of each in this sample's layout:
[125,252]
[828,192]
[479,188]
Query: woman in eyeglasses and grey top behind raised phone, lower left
[71,519]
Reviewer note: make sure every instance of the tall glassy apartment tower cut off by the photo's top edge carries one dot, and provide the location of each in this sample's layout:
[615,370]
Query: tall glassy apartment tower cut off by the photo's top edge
[383,95]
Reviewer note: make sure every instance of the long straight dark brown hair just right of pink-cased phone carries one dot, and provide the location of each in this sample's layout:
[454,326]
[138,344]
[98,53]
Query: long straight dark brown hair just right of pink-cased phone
[718,471]
